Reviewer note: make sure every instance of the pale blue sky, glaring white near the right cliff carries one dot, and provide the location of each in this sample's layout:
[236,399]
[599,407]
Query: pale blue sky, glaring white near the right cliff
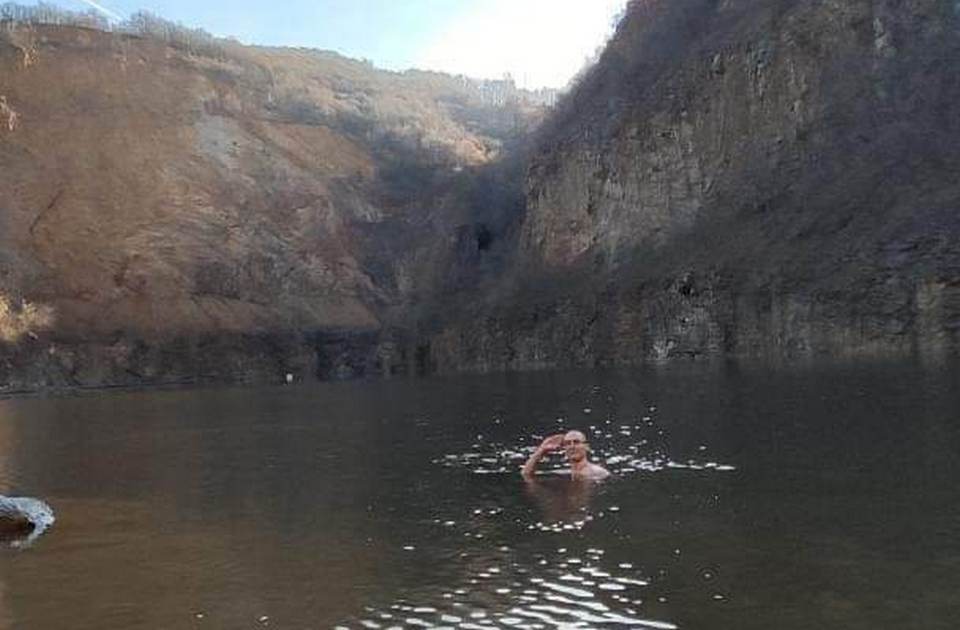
[541,43]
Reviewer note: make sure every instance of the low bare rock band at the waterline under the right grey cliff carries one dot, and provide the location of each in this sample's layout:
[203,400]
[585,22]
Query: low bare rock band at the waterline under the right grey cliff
[696,317]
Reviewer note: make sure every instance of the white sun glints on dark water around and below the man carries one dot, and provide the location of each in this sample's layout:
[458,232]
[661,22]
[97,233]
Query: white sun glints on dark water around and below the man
[565,591]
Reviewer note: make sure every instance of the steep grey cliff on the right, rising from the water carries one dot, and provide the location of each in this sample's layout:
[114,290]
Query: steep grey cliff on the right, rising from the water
[742,177]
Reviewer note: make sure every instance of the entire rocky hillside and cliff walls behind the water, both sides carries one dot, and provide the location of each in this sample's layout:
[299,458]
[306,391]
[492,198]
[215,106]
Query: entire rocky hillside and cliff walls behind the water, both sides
[762,178]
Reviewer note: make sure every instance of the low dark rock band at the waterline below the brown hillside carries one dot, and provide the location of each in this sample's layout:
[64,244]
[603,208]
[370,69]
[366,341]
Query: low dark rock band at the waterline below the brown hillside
[217,357]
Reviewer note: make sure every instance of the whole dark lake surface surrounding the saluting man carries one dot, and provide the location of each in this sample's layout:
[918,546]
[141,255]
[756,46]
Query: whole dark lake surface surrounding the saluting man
[744,497]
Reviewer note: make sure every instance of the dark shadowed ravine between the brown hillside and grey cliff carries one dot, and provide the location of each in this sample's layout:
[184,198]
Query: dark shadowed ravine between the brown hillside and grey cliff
[458,236]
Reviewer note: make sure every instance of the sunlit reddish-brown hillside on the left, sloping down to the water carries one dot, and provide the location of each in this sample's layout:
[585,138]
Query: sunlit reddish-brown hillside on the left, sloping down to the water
[169,215]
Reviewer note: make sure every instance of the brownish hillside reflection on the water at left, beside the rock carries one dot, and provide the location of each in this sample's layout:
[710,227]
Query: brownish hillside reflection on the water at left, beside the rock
[203,488]
